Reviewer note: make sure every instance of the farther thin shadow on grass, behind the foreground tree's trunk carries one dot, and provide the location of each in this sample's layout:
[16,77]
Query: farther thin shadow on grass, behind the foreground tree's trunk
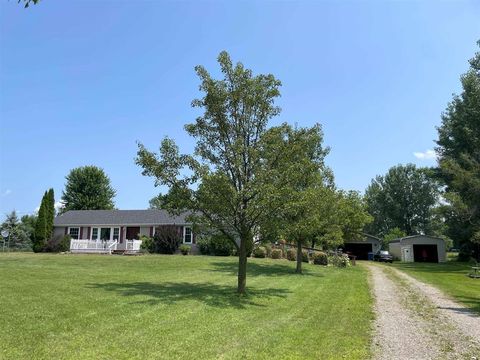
[260,269]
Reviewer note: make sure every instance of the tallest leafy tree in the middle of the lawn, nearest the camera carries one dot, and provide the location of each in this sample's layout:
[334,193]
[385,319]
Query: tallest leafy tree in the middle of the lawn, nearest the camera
[236,176]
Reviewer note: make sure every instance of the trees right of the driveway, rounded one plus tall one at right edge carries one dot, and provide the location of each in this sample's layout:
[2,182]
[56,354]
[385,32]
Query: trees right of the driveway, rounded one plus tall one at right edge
[443,200]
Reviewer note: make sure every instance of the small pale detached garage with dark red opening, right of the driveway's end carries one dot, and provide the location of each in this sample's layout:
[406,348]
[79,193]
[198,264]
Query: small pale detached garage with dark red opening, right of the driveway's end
[419,248]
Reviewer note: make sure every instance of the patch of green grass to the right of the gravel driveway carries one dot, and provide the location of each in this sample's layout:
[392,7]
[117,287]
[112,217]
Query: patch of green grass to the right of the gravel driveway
[450,277]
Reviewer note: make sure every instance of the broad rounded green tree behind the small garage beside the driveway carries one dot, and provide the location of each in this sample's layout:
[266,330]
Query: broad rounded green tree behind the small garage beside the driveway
[404,198]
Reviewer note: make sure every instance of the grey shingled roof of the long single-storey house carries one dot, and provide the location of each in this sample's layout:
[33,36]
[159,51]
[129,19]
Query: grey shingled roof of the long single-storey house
[118,217]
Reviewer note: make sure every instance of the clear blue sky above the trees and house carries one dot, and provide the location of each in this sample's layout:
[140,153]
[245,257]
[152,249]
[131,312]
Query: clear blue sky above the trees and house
[81,81]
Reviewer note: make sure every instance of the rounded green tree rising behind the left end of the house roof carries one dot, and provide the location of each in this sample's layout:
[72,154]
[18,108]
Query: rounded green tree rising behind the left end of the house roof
[88,188]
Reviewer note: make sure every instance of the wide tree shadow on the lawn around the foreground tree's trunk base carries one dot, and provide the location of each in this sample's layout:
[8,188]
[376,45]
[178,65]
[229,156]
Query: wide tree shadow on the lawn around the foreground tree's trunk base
[210,294]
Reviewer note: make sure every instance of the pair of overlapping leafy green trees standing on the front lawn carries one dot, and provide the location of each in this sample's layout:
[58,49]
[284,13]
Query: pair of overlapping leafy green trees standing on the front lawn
[245,178]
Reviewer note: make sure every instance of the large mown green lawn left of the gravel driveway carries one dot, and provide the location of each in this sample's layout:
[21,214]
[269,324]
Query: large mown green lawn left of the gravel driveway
[114,307]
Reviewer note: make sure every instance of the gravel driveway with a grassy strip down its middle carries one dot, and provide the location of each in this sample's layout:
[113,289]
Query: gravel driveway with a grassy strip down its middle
[417,321]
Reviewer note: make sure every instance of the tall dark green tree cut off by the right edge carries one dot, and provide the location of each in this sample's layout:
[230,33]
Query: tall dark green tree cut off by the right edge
[459,160]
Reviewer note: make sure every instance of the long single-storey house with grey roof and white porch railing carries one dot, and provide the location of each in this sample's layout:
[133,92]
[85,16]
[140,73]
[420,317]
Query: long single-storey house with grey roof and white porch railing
[110,230]
